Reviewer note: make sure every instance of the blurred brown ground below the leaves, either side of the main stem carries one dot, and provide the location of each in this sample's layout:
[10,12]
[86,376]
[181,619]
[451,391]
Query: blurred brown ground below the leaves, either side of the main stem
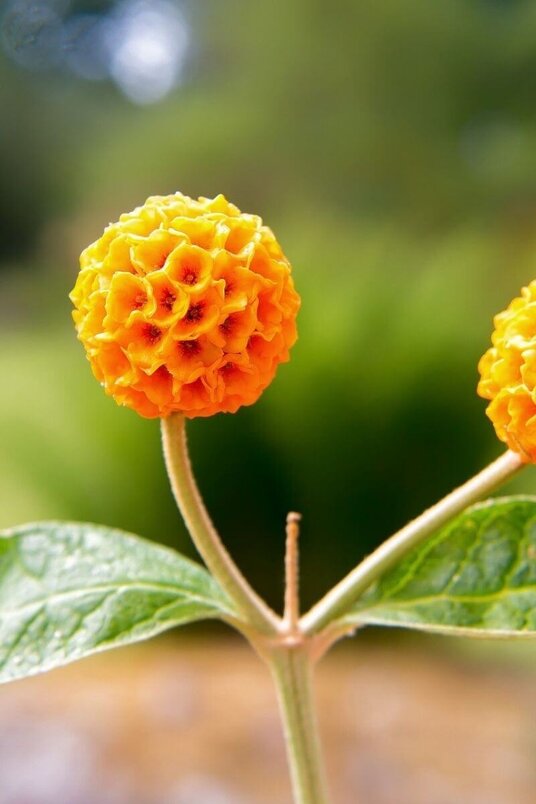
[193,722]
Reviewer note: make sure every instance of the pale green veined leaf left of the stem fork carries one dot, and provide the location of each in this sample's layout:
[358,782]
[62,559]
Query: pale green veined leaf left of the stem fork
[68,590]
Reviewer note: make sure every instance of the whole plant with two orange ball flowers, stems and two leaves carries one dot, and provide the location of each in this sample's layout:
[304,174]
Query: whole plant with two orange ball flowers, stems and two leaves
[185,309]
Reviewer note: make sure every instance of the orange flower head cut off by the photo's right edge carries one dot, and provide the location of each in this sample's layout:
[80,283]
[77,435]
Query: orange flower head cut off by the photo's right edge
[508,375]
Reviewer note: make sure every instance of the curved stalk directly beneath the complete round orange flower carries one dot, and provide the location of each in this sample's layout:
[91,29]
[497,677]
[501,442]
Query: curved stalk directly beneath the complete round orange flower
[202,531]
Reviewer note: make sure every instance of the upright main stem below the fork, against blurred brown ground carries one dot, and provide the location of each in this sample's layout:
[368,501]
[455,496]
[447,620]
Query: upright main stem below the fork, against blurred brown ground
[292,672]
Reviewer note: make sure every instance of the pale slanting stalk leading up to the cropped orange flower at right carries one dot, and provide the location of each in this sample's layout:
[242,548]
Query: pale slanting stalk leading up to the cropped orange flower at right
[356,582]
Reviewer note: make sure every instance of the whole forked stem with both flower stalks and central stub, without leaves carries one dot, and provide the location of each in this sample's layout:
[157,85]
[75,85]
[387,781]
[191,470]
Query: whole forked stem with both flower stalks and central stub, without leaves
[291,645]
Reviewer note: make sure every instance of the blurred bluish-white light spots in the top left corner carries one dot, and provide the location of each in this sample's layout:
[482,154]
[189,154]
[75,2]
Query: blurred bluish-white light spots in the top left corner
[140,45]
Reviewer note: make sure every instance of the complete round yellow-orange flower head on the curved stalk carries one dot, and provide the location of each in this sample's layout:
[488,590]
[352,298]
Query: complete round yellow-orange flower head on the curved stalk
[185,306]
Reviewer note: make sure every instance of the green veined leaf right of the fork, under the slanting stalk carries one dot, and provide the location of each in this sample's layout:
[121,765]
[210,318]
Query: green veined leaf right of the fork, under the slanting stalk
[476,577]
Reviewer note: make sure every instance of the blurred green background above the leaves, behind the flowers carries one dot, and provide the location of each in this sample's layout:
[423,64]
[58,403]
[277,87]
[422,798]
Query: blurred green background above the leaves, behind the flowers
[392,148]
